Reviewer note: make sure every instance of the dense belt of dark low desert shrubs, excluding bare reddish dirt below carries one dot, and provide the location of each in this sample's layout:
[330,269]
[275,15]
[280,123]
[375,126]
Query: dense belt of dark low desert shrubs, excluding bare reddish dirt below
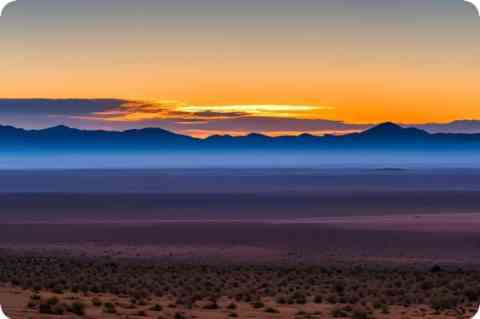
[356,292]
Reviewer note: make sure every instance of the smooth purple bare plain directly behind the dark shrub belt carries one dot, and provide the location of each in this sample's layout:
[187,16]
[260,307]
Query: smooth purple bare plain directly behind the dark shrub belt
[410,238]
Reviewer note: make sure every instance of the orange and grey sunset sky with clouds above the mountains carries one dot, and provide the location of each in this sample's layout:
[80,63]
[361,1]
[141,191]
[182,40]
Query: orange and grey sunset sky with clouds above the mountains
[204,67]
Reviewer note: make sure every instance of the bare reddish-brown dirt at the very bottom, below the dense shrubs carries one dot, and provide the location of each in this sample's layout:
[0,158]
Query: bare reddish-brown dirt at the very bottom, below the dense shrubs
[16,302]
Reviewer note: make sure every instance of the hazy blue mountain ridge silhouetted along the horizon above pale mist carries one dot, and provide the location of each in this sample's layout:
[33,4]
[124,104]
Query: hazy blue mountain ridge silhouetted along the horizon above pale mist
[384,136]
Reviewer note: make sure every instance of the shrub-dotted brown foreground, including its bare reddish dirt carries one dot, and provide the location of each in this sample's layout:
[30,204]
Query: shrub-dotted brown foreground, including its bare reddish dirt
[51,286]
